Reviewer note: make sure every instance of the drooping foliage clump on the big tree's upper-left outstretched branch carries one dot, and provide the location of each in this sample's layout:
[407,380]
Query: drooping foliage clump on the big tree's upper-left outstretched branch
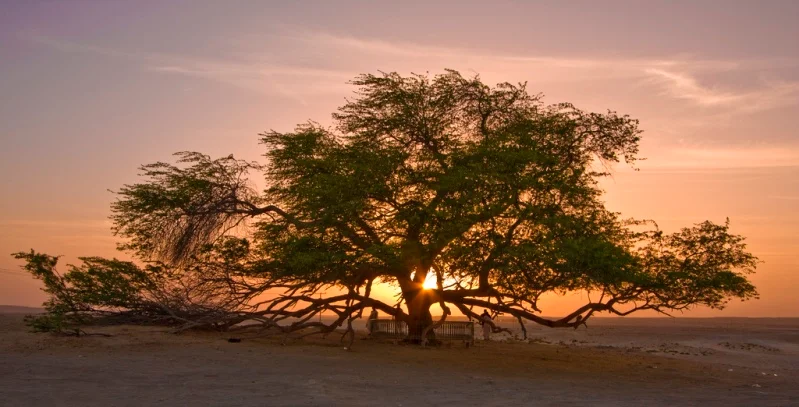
[210,192]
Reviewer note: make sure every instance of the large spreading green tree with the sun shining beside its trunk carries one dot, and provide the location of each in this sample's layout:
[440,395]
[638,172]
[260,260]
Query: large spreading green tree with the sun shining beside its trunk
[488,189]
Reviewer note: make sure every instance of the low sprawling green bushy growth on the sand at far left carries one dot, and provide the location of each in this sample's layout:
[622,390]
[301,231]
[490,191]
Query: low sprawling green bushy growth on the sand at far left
[116,291]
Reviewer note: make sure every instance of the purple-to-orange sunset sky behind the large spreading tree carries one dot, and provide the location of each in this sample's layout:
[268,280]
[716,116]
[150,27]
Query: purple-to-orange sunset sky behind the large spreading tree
[91,90]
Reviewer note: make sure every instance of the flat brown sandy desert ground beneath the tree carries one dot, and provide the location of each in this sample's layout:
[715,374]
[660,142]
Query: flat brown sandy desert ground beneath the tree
[636,362]
